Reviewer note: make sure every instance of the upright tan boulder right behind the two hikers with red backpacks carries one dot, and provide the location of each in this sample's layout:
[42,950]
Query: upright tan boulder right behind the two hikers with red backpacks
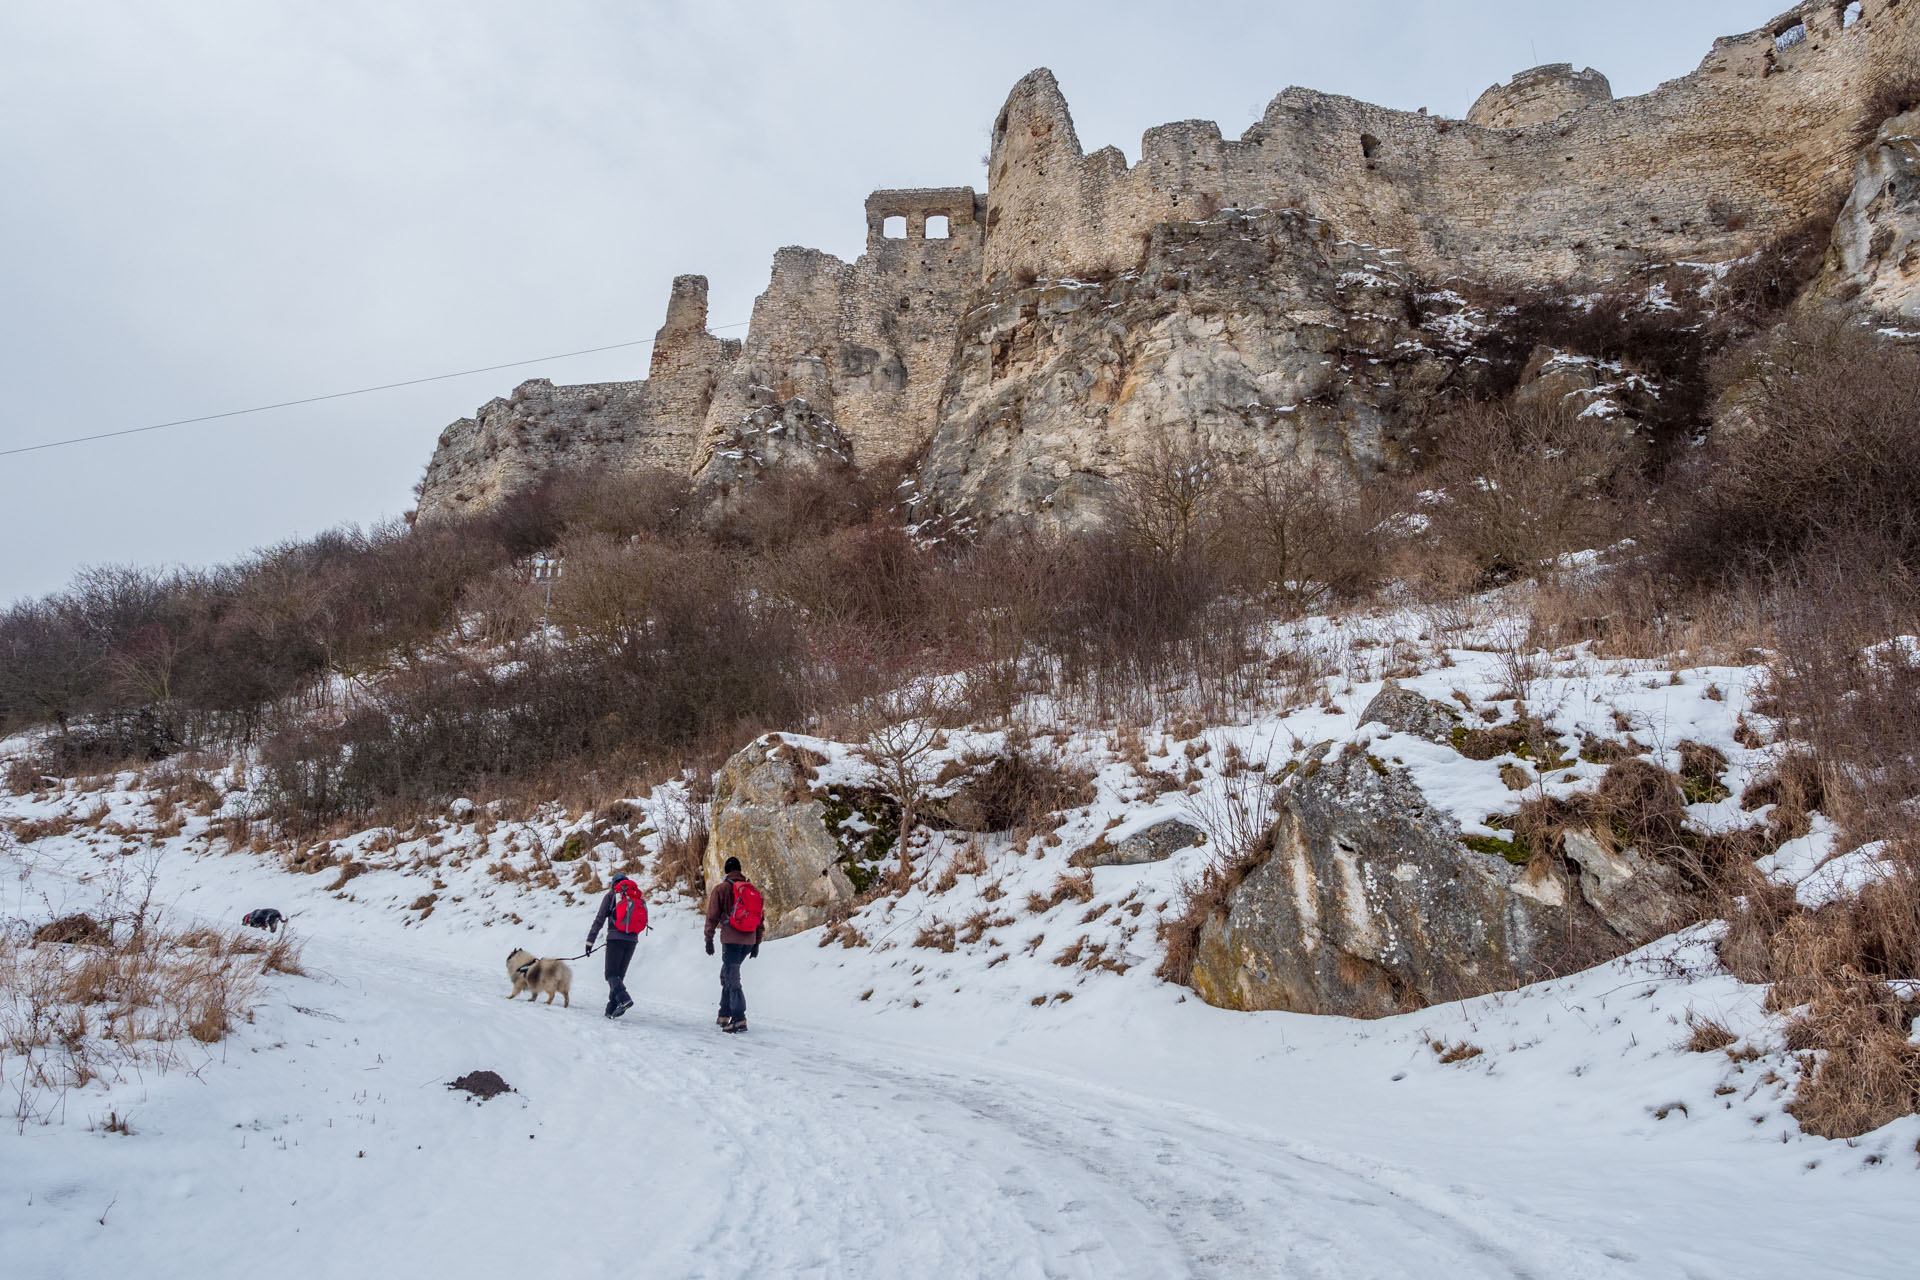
[765,815]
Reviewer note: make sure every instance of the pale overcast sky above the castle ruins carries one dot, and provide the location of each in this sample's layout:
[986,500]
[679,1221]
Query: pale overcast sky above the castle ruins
[210,206]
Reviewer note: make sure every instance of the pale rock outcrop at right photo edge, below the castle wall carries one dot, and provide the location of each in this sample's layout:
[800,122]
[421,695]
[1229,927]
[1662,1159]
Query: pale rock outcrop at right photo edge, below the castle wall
[1875,262]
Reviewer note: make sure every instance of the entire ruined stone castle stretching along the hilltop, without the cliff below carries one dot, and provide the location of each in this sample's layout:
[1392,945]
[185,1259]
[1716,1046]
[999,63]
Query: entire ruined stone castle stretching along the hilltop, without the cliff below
[1548,181]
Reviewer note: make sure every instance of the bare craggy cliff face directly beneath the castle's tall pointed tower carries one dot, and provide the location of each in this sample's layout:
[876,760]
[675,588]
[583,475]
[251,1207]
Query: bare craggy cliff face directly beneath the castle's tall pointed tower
[1257,337]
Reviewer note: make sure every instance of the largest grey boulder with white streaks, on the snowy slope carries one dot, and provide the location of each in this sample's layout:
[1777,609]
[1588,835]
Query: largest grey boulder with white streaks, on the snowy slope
[1370,903]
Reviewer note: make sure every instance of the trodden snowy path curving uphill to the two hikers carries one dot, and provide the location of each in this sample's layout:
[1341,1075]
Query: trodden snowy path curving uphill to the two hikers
[660,1147]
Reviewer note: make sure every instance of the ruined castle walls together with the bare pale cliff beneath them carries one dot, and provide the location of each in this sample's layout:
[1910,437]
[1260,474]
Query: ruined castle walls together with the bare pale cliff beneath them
[1251,295]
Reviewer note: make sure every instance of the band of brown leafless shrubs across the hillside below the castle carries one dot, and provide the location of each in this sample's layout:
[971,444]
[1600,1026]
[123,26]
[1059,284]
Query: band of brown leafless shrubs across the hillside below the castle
[368,678]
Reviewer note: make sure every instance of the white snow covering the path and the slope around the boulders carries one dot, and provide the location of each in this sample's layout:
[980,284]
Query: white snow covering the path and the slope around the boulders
[965,1108]
